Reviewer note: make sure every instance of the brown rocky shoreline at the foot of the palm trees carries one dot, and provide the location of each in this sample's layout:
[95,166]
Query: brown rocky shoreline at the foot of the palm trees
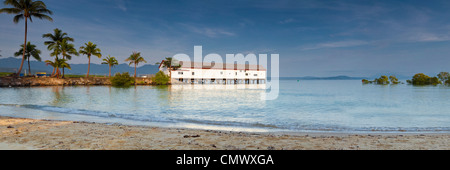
[50,81]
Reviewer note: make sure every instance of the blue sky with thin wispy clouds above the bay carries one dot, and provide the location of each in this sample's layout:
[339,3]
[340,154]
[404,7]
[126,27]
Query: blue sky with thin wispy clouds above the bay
[363,38]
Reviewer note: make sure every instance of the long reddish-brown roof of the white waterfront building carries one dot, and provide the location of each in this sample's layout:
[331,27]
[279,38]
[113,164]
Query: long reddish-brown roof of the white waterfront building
[219,66]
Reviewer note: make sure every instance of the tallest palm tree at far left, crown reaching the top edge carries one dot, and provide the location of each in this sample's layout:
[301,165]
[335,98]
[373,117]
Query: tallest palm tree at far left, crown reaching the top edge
[25,9]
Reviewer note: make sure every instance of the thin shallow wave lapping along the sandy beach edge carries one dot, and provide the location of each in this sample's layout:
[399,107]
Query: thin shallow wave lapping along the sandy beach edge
[291,127]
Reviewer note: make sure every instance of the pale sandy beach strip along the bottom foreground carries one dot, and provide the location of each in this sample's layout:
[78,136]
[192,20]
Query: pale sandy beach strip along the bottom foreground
[30,134]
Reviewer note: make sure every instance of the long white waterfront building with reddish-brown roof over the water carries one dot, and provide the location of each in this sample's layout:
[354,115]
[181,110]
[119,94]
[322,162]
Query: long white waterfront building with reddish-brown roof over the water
[219,73]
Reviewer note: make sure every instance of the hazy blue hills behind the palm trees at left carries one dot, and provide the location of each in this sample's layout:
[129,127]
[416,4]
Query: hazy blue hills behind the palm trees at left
[12,64]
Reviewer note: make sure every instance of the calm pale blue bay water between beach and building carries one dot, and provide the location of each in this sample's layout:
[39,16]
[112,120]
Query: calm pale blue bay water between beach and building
[305,106]
